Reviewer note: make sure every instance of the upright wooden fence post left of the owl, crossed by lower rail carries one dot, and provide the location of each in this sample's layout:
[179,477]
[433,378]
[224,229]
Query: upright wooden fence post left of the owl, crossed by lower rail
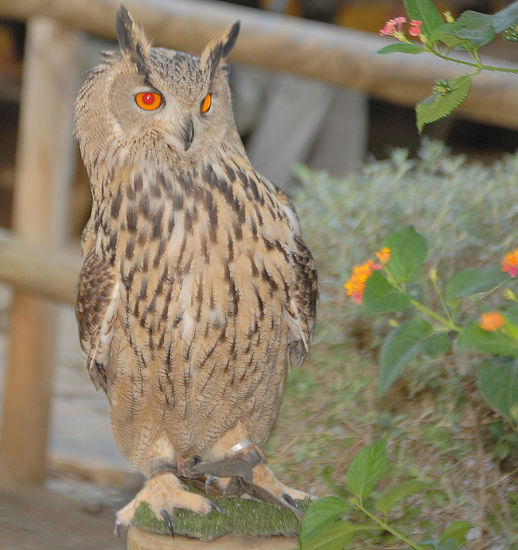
[43,173]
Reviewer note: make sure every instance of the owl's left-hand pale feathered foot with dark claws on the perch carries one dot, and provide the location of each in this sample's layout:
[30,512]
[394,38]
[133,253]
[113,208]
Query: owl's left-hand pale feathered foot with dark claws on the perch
[163,493]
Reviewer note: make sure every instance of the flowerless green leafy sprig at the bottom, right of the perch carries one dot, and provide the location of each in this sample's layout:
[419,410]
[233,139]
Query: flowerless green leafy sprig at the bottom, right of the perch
[326,525]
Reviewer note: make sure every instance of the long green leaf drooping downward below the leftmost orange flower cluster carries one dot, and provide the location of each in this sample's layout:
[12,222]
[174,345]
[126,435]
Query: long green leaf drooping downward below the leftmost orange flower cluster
[400,346]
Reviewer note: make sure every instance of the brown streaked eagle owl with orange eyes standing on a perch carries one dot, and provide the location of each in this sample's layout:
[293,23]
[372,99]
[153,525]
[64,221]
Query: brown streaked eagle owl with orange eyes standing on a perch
[196,286]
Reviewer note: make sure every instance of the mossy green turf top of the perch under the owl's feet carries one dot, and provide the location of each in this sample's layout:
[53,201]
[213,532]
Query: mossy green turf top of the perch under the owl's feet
[238,516]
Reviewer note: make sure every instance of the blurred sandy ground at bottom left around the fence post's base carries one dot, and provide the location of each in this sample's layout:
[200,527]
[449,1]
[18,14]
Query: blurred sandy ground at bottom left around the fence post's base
[88,479]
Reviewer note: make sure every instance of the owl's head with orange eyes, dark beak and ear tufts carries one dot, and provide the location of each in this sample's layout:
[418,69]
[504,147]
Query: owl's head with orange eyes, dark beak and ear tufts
[144,102]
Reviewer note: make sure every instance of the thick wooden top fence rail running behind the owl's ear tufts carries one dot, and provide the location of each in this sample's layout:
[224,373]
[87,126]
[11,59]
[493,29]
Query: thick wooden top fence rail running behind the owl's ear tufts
[316,50]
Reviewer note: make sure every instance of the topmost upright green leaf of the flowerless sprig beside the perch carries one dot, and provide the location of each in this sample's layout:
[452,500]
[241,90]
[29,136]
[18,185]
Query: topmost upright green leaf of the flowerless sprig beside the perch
[366,469]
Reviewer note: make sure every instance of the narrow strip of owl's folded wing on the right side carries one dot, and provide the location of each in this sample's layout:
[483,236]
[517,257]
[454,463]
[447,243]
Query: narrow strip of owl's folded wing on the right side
[304,293]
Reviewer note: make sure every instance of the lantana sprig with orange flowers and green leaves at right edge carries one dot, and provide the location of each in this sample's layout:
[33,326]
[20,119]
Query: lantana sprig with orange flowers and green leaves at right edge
[394,286]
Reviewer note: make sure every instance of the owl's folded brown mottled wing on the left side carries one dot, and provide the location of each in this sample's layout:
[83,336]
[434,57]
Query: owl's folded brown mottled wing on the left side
[96,309]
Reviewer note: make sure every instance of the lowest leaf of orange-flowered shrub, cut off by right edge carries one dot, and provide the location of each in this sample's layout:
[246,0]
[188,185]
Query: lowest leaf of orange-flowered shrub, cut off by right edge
[498,383]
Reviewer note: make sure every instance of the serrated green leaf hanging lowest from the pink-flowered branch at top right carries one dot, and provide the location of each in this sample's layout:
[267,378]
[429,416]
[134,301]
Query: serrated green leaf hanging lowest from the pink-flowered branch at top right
[438,106]
